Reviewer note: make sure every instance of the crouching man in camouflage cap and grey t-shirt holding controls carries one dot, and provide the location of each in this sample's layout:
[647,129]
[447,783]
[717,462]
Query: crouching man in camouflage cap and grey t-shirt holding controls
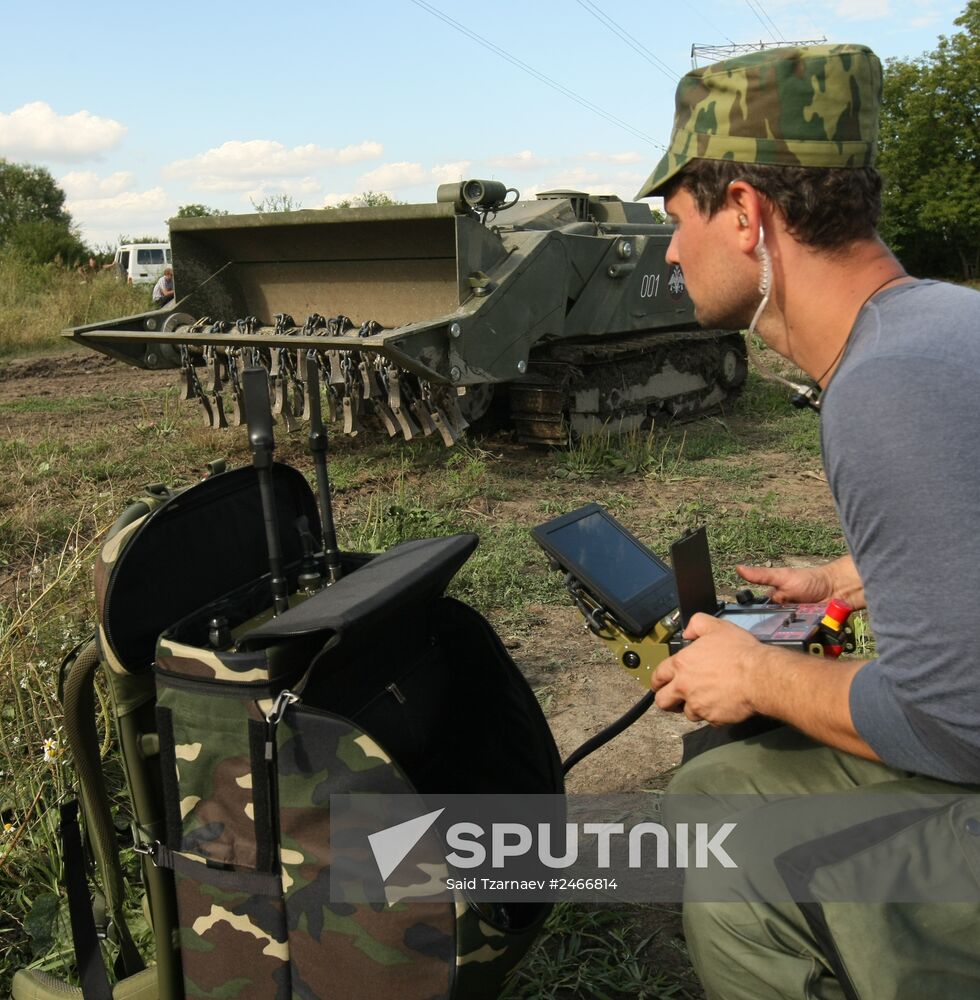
[770,181]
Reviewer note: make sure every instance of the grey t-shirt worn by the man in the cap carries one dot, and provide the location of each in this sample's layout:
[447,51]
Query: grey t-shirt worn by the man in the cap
[900,429]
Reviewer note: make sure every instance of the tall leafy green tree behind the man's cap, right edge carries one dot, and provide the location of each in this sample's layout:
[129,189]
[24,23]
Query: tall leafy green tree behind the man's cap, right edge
[930,155]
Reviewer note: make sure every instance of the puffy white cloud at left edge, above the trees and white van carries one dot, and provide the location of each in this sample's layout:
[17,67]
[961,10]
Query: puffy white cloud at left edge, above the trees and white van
[37,131]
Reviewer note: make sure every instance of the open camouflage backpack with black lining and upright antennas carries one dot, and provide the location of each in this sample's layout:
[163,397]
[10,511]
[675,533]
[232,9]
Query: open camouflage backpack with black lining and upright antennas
[232,750]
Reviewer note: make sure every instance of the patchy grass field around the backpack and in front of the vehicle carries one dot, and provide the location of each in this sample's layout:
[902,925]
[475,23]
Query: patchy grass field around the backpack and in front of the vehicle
[71,460]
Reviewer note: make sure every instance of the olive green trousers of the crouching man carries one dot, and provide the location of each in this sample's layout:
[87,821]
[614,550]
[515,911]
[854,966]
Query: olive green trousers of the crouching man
[759,950]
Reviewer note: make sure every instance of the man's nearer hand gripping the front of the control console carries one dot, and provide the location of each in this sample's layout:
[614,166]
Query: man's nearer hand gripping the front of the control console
[713,677]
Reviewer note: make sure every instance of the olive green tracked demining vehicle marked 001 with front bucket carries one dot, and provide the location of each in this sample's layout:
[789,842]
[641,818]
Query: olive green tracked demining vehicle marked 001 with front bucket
[561,312]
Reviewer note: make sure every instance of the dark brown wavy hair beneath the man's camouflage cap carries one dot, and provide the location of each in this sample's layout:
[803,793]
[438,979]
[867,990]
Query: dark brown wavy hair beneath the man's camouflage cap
[826,208]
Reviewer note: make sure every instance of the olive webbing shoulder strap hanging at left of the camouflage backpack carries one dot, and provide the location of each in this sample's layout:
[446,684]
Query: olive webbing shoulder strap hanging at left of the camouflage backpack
[78,702]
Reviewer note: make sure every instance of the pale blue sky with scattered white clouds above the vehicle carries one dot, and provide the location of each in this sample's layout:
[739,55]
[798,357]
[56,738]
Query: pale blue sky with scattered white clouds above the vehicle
[137,110]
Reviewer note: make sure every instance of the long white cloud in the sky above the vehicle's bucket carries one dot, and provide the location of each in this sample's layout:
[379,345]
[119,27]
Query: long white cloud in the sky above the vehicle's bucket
[237,165]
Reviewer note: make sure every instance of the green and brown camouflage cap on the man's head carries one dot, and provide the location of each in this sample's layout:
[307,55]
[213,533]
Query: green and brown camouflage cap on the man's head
[812,107]
